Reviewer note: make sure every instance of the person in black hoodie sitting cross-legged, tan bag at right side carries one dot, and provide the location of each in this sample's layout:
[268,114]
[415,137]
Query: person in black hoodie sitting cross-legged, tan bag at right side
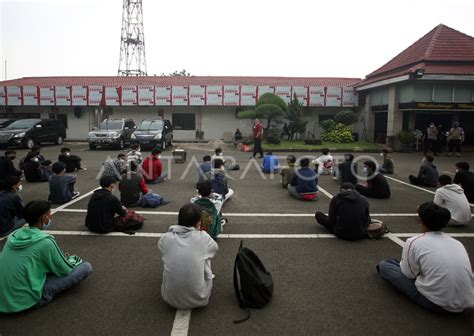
[348,216]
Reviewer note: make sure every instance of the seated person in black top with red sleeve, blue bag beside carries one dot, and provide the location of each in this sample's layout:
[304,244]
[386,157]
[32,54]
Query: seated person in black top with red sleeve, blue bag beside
[132,187]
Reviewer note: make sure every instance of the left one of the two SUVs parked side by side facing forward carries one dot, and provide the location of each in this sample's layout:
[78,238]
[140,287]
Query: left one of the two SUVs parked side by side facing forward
[112,132]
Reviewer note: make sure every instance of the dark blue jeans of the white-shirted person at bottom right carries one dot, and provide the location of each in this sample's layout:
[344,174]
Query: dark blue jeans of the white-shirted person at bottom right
[390,270]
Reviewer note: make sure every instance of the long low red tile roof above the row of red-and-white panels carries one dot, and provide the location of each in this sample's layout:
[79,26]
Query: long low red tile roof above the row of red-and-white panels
[193,80]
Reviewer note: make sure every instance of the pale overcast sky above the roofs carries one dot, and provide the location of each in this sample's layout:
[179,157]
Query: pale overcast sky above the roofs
[300,38]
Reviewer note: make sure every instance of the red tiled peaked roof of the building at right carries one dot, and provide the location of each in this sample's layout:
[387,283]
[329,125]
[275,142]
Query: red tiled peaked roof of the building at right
[442,51]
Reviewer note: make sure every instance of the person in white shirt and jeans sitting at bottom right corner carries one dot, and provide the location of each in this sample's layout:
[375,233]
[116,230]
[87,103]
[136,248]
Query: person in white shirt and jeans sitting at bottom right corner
[435,271]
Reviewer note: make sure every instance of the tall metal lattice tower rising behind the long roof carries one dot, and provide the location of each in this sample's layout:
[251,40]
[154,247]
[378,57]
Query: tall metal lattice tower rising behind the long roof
[132,42]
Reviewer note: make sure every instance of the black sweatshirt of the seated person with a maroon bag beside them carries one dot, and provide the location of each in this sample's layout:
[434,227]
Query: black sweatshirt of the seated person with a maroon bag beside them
[101,211]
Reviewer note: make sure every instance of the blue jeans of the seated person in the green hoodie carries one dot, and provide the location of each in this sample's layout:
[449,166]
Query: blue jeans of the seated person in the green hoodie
[55,285]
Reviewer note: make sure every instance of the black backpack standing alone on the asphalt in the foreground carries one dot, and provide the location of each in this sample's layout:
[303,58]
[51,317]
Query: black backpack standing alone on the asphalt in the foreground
[253,284]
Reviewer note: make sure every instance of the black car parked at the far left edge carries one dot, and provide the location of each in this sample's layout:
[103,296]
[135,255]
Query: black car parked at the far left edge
[30,132]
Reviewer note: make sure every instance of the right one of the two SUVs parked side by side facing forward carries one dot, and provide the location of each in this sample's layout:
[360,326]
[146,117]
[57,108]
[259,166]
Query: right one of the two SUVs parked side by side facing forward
[152,133]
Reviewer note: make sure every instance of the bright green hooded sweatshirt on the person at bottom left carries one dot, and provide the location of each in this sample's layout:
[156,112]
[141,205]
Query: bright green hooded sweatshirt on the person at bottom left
[27,258]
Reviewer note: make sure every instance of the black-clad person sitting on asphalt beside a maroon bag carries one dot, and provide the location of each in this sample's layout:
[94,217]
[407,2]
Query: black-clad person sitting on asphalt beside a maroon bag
[103,206]
